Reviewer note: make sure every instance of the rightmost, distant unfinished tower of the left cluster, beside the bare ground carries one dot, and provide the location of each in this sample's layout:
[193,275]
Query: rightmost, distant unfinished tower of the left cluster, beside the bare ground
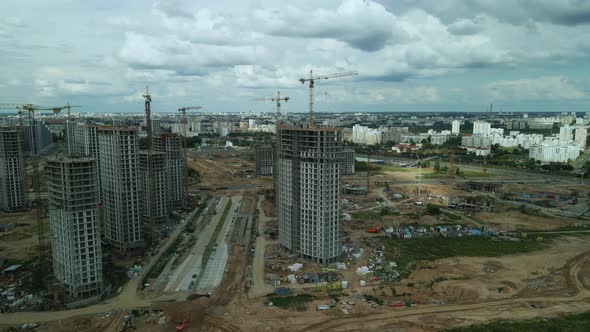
[171,146]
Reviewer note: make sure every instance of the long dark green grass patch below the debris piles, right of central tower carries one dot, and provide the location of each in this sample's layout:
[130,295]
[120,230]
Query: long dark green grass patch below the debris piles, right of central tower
[406,253]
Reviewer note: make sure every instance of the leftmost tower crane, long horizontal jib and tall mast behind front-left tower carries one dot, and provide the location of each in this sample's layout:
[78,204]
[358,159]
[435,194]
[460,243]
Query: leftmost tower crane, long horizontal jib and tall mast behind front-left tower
[31,109]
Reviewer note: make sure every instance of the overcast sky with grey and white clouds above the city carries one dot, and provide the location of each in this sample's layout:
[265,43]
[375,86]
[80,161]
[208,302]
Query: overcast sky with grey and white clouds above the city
[452,55]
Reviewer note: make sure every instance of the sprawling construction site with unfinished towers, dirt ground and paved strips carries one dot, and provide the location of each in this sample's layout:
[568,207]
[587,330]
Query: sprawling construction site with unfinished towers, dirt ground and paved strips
[402,245]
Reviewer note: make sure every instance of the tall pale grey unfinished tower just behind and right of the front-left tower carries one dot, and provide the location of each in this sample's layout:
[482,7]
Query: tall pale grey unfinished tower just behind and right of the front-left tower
[120,186]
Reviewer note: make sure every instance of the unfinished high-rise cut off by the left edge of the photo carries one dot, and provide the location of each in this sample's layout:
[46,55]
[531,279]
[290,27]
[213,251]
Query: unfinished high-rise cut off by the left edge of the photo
[12,170]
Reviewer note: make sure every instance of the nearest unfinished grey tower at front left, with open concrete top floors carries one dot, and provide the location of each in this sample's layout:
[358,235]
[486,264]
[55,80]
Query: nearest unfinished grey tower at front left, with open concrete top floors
[75,225]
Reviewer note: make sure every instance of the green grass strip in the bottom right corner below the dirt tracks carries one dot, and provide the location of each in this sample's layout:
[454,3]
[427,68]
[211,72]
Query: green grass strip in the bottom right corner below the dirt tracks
[576,322]
